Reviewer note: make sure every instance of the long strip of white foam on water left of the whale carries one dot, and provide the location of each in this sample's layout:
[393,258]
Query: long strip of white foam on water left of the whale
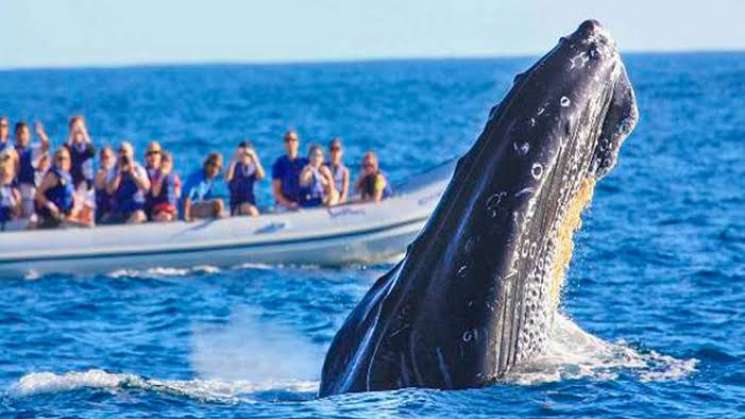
[206,390]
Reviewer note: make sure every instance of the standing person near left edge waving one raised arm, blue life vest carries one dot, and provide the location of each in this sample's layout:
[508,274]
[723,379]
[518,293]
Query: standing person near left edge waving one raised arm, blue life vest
[27,163]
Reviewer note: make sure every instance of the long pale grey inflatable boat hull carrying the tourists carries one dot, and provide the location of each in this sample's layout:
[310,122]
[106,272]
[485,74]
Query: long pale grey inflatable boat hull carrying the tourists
[352,233]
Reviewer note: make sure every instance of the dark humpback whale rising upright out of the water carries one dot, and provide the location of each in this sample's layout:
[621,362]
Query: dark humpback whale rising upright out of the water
[477,290]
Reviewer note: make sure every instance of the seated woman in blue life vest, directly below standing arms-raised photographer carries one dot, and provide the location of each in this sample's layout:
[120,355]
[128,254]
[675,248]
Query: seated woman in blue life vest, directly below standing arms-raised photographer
[55,196]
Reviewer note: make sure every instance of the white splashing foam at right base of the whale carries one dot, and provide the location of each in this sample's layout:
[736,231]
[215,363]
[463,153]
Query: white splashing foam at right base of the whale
[571,353]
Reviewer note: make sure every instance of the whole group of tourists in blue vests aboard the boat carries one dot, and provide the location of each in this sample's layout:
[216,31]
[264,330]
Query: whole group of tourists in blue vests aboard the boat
[67,186]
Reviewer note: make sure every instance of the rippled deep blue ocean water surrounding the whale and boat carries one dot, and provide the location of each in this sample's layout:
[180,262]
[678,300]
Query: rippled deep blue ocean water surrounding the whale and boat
[653,314]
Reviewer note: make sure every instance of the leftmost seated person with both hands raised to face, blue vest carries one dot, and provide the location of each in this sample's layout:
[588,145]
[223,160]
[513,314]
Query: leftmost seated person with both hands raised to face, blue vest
[127,183]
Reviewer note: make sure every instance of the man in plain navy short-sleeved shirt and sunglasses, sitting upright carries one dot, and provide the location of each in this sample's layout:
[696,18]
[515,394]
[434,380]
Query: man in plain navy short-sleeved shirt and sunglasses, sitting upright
[286,174]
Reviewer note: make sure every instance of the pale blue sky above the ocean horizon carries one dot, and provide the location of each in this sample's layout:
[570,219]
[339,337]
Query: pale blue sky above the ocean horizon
[38,33]
